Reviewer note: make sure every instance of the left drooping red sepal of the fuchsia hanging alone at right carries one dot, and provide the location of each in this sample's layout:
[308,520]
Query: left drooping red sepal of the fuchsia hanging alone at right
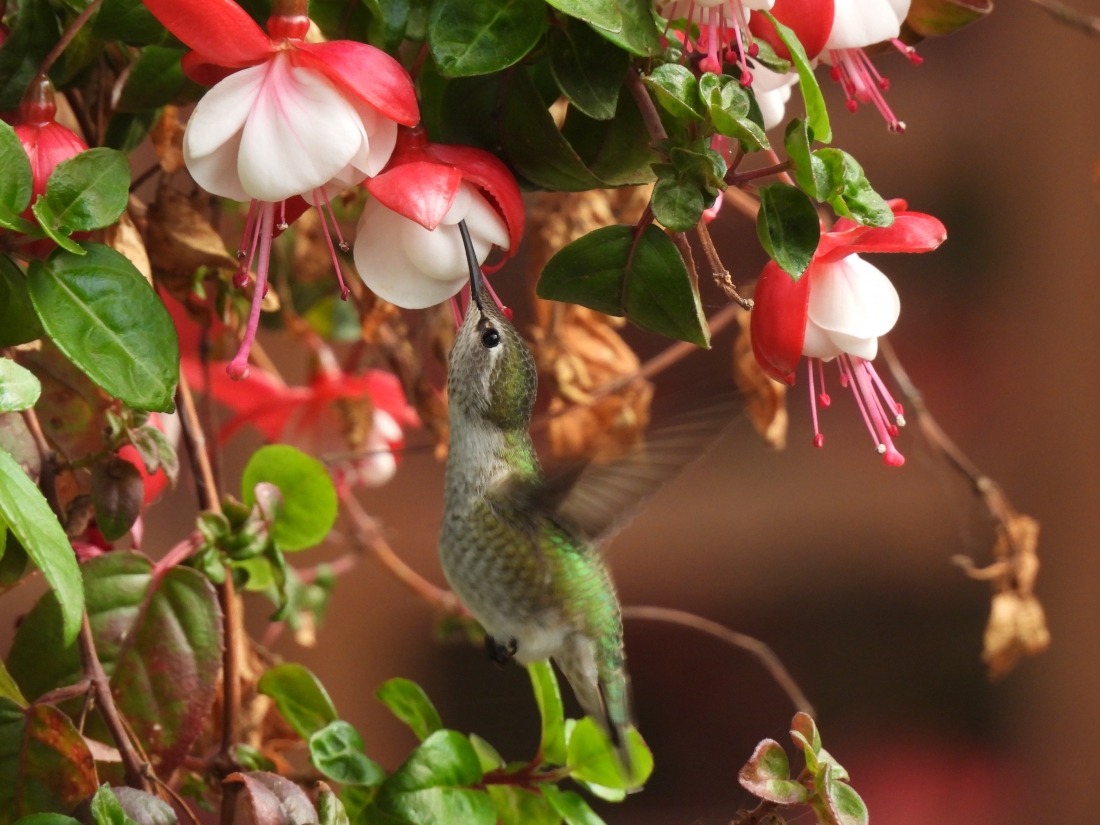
[778,323]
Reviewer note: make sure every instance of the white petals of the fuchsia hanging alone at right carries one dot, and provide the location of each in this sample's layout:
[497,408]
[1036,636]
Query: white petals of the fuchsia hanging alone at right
[854,299]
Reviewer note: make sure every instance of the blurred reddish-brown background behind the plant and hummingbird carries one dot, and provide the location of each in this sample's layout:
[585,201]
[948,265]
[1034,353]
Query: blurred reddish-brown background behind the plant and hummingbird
[838,563]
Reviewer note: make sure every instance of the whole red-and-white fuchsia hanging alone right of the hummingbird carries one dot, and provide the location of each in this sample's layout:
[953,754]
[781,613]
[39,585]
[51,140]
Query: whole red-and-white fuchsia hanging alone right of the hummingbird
[838,311]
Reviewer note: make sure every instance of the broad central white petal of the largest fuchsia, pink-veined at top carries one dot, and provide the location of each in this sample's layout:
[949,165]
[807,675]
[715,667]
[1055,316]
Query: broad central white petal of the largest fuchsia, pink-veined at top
[300,134]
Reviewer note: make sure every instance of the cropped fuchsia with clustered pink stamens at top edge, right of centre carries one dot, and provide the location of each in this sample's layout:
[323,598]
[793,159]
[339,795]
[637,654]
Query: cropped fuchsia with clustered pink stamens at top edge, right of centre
[724,35]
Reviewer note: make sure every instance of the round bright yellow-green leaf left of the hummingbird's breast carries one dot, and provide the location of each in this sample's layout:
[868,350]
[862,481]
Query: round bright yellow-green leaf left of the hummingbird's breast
[310,499]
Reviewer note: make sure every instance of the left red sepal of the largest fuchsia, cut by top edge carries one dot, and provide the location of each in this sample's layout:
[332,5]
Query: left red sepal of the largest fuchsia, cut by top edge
[219,29]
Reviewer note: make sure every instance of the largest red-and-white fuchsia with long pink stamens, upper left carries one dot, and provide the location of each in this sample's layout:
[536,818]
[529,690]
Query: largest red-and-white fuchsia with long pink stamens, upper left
[287,119]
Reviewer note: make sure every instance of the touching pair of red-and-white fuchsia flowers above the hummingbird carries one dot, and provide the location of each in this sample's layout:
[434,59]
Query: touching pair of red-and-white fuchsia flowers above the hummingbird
[290,124]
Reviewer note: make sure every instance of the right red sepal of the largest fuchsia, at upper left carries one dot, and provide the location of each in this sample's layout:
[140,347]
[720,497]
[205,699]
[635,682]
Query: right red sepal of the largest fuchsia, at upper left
[367,73]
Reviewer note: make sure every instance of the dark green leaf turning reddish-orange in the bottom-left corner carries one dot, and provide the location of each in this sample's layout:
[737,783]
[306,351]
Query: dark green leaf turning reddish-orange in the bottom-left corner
[45,763]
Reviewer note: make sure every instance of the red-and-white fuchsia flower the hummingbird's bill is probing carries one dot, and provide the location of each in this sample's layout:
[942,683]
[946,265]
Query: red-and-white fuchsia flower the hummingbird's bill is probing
[409,247]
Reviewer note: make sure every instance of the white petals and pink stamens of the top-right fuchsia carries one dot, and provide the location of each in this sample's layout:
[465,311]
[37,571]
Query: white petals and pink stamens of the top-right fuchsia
[859,25]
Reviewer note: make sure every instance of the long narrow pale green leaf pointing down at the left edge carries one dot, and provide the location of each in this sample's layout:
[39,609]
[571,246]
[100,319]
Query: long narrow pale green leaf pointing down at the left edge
[29,518]
